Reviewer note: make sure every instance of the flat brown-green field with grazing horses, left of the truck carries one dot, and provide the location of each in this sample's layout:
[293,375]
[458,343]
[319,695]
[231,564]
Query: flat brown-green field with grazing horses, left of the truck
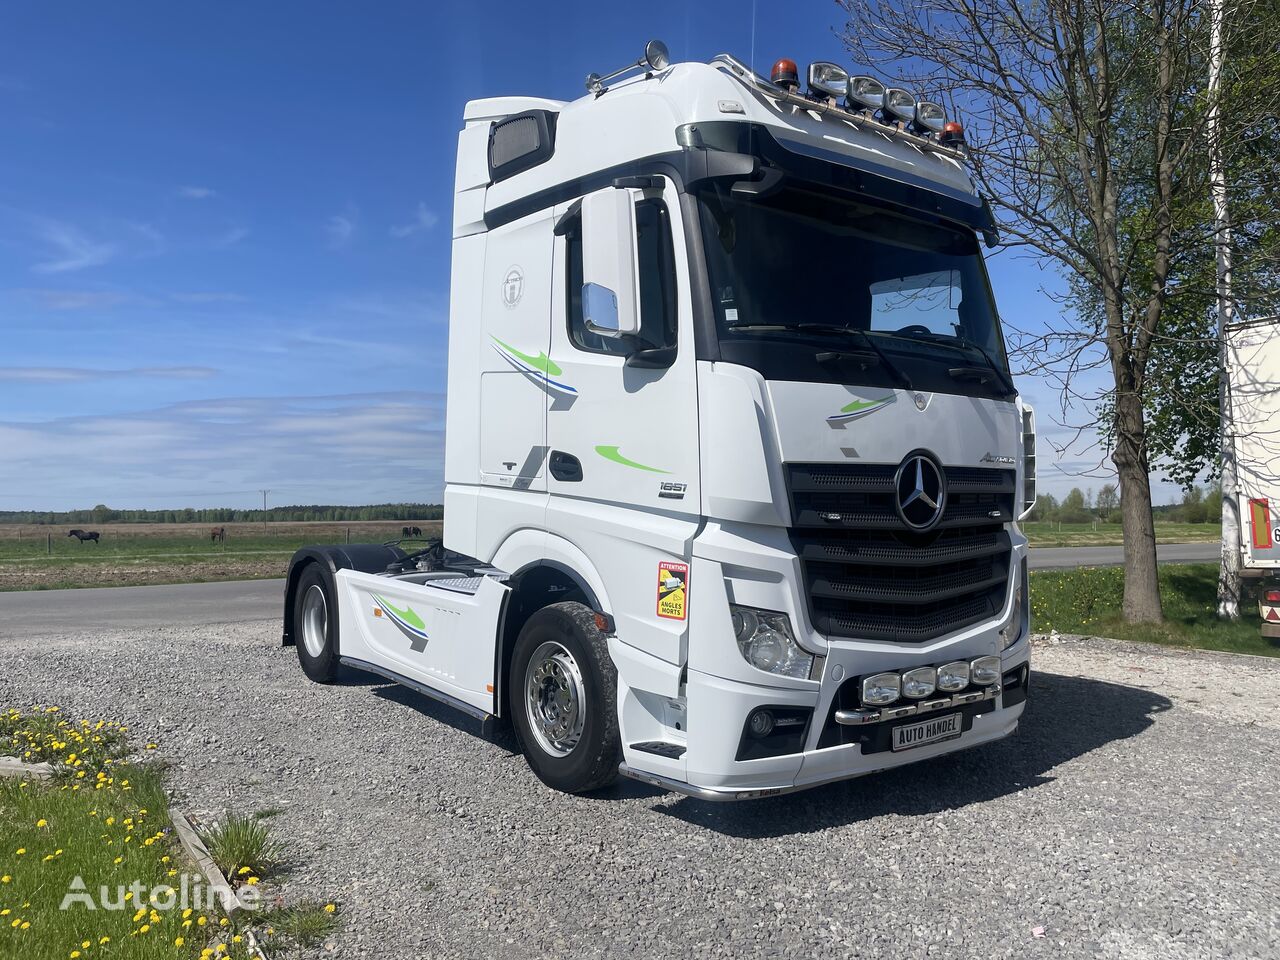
[42,557]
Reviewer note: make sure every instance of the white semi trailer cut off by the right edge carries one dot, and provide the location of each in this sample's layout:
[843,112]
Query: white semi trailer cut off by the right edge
[1254,376]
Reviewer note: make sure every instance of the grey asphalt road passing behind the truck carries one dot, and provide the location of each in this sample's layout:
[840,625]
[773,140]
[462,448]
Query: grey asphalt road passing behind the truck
[235,602]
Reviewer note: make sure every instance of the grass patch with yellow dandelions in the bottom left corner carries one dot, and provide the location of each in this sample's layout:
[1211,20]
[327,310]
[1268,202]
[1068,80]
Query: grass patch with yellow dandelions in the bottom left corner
[90,866]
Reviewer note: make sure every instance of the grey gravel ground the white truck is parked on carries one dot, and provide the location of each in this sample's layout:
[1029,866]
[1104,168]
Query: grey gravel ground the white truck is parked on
[1133,816]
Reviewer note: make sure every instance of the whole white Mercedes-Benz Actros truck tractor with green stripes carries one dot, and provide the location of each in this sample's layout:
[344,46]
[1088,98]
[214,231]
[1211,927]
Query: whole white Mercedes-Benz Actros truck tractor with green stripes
[734,460]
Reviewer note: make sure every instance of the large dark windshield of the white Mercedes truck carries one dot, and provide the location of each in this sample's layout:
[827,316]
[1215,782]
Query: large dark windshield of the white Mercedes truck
[801,275]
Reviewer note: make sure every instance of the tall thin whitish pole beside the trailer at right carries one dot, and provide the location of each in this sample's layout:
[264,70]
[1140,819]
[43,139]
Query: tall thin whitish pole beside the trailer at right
[1229,574]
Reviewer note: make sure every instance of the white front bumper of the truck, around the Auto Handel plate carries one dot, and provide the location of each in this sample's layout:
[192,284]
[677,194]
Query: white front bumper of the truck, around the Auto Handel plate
[711,778]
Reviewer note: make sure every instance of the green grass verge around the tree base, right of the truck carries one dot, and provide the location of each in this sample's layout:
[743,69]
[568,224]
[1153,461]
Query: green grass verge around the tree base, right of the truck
[1090,602]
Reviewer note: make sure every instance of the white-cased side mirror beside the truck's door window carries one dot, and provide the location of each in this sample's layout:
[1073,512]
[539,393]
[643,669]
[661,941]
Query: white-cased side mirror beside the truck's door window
[610,275]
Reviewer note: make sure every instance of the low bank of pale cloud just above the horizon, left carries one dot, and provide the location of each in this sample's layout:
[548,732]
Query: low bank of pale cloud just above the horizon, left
[354,449]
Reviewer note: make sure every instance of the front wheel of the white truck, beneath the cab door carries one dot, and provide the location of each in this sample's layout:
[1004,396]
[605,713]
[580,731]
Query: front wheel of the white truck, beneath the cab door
[564,700]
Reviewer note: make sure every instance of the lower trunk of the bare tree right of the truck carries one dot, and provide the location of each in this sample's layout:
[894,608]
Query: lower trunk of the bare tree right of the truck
[1141,579]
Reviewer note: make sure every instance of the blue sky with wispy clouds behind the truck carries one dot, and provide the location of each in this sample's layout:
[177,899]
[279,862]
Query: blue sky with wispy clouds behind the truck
[225,234]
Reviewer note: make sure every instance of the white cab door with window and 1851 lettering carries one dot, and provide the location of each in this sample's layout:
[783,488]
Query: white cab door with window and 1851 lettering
[623,437]
